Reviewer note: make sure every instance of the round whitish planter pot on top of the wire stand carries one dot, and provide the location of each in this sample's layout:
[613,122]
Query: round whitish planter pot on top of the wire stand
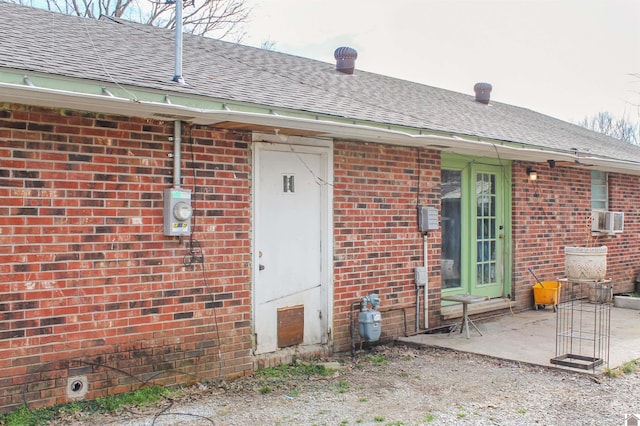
[585,263]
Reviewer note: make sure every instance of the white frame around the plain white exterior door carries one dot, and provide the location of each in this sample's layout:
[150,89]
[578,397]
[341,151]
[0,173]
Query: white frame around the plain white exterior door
[324,148]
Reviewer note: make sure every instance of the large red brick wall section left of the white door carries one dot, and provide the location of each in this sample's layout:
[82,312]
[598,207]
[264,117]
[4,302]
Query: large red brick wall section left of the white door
[88,283]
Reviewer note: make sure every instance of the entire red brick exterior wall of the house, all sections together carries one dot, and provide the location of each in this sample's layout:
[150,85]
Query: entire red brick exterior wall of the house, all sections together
[89,285]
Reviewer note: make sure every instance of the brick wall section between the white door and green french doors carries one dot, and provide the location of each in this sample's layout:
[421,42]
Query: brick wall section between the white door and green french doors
[376,239]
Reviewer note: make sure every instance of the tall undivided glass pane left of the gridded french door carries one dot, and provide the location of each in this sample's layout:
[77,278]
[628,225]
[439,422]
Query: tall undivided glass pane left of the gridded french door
[451,227]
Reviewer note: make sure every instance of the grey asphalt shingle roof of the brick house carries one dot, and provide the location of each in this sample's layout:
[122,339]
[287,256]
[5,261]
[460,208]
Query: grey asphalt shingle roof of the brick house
[142,56]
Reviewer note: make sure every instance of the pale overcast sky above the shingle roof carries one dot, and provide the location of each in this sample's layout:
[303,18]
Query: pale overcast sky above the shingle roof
[565,58]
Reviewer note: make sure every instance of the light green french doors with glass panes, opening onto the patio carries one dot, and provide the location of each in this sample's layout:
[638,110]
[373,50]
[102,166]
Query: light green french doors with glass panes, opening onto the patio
[475,221]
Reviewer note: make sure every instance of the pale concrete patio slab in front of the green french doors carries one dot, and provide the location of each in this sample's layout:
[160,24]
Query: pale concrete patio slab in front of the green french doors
[530,337]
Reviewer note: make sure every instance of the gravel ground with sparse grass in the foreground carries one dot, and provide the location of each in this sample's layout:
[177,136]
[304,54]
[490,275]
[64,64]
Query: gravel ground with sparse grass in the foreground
[404,386]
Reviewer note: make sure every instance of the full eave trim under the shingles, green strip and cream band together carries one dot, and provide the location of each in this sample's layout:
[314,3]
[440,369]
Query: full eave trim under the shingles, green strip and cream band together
[88,95]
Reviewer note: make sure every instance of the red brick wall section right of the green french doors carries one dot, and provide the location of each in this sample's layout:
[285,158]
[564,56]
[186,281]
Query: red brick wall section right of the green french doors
[552,213]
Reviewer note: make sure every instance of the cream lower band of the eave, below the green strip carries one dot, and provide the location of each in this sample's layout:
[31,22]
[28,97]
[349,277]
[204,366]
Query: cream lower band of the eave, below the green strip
[337,128]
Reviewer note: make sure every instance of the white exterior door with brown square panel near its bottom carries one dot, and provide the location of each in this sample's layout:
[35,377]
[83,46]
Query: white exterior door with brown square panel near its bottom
[291,257]
